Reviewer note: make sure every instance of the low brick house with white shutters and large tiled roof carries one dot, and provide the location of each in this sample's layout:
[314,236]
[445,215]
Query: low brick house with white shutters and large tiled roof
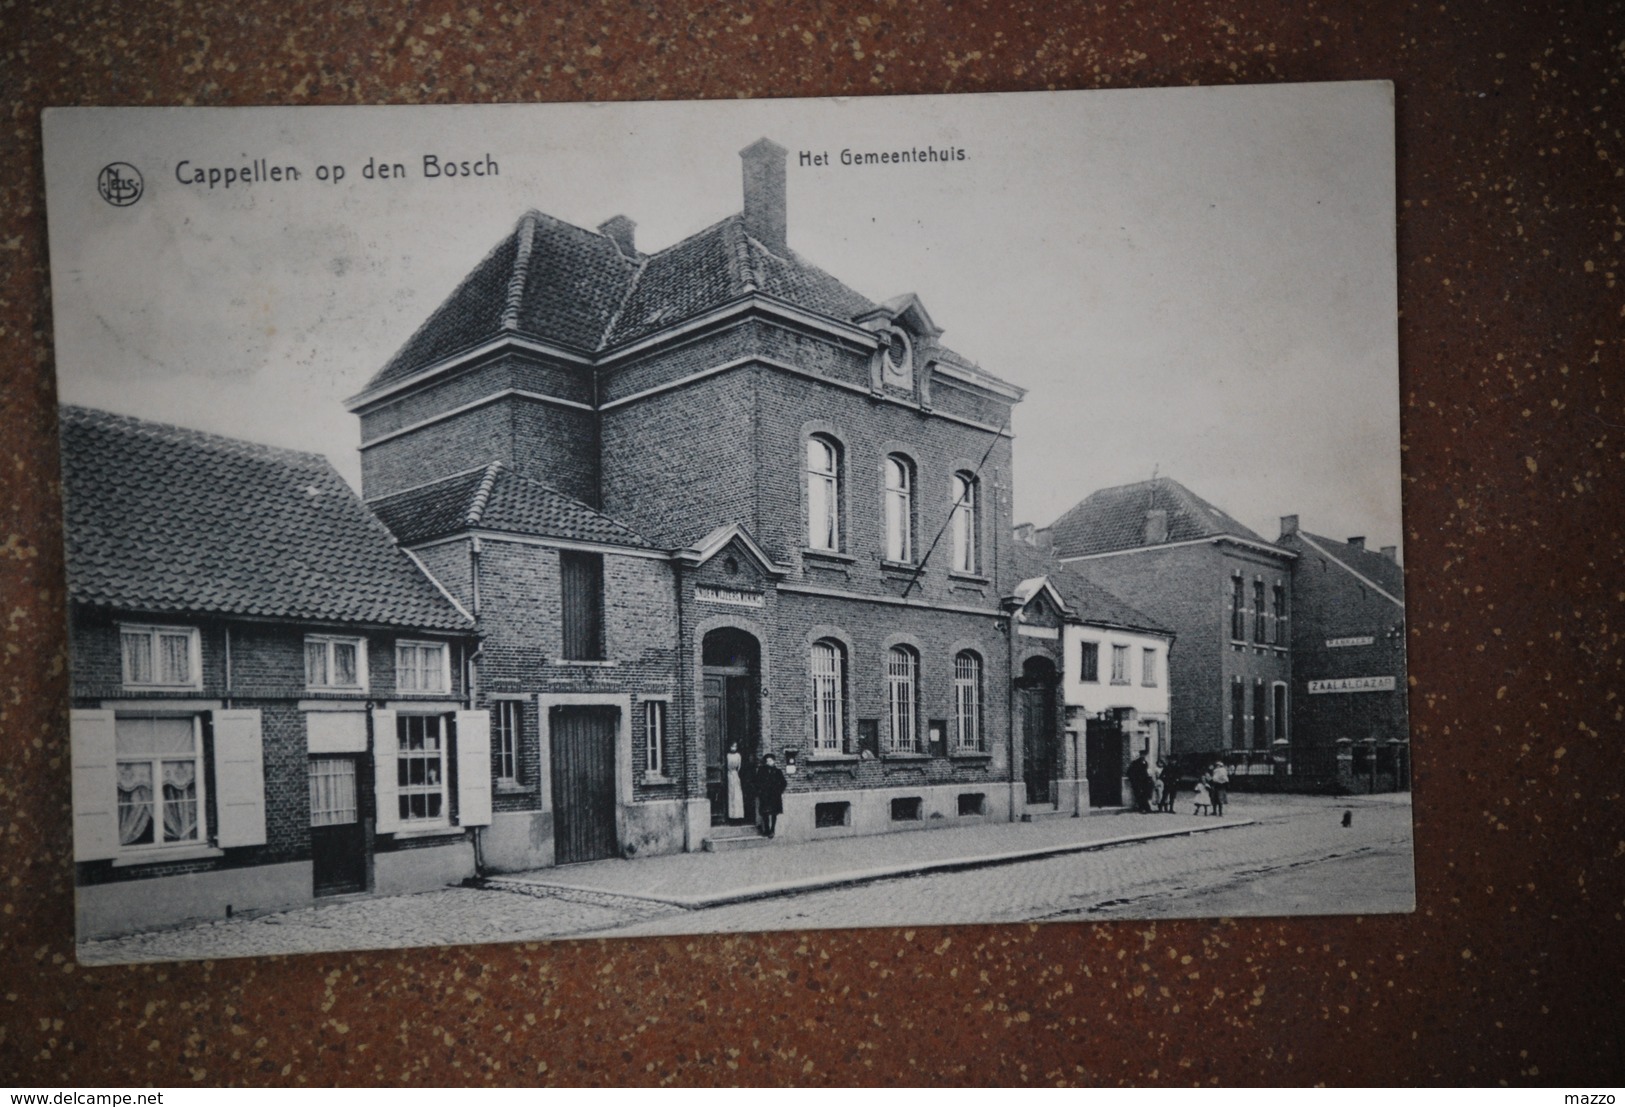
[267,697]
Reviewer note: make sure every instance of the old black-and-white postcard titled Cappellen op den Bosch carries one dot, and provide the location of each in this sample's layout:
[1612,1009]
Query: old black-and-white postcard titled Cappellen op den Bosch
[493,524]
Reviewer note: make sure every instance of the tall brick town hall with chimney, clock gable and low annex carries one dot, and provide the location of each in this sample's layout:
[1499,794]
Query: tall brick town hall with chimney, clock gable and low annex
[740,506]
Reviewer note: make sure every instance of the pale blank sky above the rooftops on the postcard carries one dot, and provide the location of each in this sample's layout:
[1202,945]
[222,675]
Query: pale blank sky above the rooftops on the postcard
[1189,282]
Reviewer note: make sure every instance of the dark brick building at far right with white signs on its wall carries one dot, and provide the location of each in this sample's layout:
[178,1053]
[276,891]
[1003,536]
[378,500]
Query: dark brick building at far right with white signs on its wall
[1348,656]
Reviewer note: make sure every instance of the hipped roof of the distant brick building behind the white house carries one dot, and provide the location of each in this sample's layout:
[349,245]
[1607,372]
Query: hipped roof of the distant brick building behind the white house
[1116,519]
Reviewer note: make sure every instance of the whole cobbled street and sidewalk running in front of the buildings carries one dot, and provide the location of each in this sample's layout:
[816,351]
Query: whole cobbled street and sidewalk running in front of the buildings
[1052,869]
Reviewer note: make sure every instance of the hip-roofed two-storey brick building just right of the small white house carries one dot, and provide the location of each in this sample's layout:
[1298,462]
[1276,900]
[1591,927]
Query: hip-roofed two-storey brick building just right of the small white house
[1223,589]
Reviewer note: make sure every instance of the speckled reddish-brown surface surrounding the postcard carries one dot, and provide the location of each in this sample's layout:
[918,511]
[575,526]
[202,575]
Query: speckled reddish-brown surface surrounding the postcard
[1512,176]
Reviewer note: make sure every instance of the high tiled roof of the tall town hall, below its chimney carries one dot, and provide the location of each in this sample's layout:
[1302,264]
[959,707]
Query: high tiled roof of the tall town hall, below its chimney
[570,287]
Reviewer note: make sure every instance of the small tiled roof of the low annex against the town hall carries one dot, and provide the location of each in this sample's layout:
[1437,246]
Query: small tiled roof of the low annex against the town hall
[496,498]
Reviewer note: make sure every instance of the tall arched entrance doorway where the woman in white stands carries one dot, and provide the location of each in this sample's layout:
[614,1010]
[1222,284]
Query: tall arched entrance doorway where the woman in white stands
[730,662]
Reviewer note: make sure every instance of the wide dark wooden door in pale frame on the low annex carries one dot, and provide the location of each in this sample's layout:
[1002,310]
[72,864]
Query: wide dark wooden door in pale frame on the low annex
[584,797]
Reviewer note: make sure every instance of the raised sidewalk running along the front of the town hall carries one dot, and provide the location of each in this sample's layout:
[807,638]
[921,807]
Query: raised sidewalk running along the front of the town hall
[711,880]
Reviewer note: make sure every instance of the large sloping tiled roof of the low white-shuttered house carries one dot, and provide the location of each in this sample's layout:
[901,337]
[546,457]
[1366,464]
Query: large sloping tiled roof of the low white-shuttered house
[162,519]
